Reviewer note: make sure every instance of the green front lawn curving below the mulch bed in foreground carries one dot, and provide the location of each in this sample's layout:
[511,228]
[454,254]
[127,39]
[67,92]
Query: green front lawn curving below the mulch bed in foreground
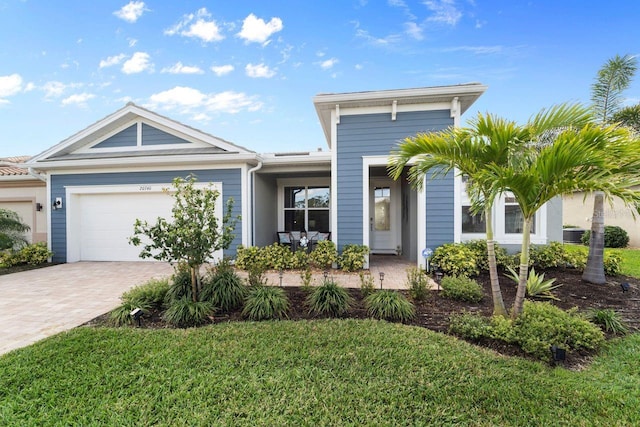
[334,372]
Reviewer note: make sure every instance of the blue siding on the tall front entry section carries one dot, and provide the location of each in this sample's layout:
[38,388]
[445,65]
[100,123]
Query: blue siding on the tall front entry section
[369,135]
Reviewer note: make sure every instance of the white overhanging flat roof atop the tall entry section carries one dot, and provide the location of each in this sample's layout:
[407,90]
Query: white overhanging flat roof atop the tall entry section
[325,103]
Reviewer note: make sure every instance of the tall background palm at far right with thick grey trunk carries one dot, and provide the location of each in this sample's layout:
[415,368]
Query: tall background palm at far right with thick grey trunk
[606,95]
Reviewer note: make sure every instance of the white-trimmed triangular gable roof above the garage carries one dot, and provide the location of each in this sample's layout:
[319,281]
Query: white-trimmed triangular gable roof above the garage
[75,147]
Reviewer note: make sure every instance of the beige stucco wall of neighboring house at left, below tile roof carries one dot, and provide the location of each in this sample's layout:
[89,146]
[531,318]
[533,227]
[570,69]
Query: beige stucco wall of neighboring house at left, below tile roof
[22,197]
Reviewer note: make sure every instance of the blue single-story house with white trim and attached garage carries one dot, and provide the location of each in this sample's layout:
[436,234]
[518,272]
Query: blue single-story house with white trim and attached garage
[107,175]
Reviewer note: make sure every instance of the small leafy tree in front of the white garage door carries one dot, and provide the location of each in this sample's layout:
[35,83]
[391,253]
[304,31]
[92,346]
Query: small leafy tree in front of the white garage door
[195,232]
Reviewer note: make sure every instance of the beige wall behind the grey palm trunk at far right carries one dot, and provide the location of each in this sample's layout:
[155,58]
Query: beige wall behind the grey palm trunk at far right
[577,210]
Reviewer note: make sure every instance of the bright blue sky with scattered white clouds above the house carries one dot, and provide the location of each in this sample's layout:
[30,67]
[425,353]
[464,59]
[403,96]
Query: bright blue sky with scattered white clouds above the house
[246,71]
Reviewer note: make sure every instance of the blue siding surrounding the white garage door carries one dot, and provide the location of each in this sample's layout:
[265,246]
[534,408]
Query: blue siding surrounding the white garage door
[231,188]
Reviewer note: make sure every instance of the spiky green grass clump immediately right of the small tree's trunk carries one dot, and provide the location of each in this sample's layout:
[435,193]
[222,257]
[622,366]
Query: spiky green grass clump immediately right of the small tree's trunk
[223,287]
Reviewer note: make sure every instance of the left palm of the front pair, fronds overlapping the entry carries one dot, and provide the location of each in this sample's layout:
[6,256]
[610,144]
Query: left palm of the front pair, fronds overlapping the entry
[487,142]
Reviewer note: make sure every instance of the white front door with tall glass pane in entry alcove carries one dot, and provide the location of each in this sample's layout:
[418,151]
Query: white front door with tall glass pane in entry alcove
[384,225]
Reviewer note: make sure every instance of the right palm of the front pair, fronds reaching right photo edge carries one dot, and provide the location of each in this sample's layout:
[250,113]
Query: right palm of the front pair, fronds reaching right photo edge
[586,158]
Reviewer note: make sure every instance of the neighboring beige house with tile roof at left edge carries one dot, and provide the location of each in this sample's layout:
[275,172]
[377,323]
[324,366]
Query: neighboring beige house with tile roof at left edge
[25,194]
